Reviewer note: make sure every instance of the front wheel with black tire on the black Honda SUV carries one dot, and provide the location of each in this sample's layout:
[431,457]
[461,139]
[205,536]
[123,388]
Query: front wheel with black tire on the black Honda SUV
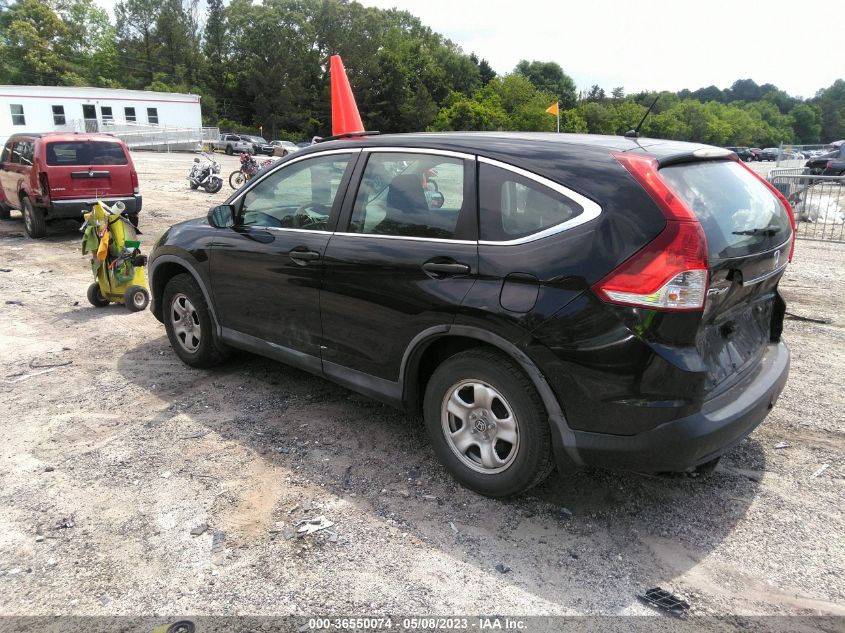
[203,349]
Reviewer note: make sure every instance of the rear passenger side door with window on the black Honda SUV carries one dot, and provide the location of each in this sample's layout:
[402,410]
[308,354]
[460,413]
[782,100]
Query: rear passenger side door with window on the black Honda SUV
[403,259]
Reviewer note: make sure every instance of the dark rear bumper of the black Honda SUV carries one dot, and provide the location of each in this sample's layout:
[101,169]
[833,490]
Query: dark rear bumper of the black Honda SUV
[696,439]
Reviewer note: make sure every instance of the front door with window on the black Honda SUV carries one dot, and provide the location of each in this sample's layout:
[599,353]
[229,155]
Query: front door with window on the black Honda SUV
[268,268]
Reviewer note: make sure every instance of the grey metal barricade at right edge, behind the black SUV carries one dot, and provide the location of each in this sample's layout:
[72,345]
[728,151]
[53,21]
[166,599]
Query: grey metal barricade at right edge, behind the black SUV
[818,202]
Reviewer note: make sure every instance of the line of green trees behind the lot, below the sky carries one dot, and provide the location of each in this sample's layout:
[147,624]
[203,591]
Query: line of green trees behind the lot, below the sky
[265,66]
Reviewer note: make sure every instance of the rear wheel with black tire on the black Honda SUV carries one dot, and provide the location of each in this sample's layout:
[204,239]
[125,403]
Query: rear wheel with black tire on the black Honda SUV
[527,461]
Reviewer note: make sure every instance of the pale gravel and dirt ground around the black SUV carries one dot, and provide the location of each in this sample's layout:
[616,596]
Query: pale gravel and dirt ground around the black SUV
[103,427]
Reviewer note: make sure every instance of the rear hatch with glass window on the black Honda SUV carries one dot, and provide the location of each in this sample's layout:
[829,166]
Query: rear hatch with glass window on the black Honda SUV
[749,239]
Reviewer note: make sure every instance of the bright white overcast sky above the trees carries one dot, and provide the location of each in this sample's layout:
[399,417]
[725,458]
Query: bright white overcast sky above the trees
[647,44]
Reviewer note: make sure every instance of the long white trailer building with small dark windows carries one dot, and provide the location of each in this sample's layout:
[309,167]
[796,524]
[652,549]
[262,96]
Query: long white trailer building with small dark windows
[141,118]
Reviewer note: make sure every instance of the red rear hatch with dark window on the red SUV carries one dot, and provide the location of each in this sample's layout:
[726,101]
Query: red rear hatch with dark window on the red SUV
[88,168]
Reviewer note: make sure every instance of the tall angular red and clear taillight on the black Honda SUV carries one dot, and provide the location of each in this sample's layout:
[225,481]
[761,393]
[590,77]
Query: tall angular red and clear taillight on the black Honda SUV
[670,272]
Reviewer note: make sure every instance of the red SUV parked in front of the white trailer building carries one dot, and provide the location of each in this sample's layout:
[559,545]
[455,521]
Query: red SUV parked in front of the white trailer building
[54,176]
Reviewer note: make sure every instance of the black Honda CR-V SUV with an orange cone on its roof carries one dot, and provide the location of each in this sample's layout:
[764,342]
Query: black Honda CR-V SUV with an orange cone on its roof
[541,298]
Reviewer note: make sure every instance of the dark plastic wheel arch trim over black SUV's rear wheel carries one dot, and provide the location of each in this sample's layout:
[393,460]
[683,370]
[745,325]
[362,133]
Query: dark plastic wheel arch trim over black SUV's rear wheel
[431,347]
